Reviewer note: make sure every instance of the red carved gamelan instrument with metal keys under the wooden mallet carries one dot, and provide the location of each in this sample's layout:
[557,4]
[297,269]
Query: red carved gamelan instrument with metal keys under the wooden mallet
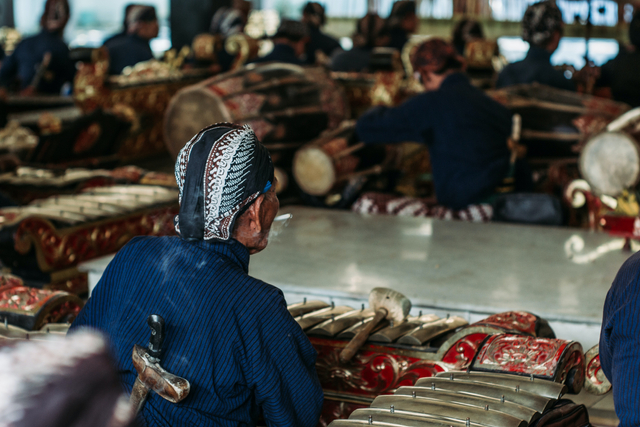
[409,355]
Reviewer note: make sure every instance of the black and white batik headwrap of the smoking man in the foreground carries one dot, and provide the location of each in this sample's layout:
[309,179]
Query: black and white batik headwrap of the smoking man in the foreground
[220,173]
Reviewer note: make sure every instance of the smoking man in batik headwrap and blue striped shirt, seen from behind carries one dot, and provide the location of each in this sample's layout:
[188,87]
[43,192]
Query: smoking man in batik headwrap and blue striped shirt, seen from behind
[228,334]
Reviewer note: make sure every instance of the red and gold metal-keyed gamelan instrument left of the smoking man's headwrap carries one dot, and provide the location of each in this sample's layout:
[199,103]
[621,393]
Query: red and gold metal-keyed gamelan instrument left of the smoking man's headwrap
[45,240]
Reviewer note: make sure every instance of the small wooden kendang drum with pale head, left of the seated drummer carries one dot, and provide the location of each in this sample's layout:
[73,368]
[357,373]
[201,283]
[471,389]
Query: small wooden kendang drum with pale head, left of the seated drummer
[336,163]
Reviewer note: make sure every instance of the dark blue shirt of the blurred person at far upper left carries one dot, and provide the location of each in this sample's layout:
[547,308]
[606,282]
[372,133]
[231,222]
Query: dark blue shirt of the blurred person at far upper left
[23,63]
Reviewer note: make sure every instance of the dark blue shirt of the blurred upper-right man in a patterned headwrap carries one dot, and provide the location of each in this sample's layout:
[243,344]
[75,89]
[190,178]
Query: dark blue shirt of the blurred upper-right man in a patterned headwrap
[535,67]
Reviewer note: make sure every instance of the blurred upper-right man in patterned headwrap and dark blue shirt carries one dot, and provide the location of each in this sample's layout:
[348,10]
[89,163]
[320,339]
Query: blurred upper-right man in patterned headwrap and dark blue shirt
[542,28]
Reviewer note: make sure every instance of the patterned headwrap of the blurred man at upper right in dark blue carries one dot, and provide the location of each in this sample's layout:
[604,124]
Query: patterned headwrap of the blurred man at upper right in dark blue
[540,21]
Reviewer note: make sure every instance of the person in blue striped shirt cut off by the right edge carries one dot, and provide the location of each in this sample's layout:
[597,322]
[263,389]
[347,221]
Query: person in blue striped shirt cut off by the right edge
[619,346]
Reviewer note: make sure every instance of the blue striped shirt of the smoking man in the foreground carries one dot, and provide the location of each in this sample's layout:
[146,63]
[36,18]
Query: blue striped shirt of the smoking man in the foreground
[228,334]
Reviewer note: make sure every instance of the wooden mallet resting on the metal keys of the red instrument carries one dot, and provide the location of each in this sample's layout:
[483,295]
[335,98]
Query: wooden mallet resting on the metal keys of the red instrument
[387,304]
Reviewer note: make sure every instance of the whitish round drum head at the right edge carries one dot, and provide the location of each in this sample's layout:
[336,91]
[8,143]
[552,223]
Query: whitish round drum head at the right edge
[610,162]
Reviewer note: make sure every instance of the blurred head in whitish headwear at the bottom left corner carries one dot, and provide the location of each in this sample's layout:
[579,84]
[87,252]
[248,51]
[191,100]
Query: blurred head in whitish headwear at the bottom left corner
[63,382]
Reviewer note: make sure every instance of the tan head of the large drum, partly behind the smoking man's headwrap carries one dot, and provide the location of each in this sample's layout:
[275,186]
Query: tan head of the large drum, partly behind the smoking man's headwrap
[191,110]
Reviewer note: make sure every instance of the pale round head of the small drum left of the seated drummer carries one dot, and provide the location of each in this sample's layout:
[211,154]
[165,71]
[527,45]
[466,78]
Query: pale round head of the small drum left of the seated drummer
[313,171]
